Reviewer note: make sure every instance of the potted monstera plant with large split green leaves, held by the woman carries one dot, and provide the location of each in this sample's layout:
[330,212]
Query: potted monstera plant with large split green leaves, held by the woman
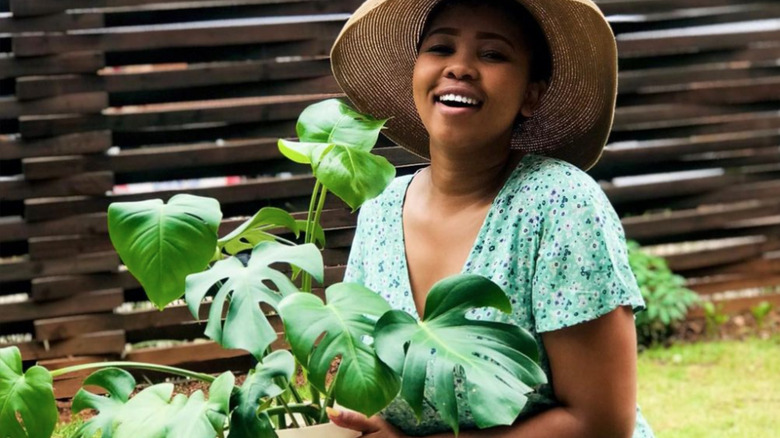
[174,251]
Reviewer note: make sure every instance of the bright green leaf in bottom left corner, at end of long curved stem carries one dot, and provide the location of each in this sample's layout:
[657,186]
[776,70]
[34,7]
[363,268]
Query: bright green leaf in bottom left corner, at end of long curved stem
[29,395]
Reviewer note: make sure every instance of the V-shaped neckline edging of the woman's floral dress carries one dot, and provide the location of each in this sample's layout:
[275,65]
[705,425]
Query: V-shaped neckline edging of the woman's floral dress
[406,280]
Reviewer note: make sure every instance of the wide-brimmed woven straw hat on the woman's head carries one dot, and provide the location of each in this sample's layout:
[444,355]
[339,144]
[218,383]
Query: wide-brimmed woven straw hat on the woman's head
[373,60]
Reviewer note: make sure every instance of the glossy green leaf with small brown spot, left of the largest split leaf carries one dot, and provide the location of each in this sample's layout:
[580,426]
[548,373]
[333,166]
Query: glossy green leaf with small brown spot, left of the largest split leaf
[363,382]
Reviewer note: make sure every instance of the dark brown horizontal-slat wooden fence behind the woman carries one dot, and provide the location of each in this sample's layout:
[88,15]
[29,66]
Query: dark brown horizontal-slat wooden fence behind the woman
[118,100]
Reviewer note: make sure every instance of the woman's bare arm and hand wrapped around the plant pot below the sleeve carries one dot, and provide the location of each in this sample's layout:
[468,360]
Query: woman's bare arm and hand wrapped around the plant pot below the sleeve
[594,373]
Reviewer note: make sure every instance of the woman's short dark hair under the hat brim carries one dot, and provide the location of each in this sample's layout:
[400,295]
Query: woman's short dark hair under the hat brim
[541,64]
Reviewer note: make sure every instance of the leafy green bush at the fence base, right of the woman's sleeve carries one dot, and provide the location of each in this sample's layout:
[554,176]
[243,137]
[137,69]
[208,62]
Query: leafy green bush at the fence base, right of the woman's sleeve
[665,295]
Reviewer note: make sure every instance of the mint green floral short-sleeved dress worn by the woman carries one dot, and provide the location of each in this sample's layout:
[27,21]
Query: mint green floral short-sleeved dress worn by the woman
[551,240]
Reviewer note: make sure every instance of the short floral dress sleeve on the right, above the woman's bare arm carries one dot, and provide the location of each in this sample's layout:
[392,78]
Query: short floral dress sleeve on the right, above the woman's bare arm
[581,270]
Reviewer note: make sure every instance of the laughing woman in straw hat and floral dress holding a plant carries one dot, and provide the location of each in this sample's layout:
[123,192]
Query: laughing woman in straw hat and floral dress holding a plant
[466,85]
